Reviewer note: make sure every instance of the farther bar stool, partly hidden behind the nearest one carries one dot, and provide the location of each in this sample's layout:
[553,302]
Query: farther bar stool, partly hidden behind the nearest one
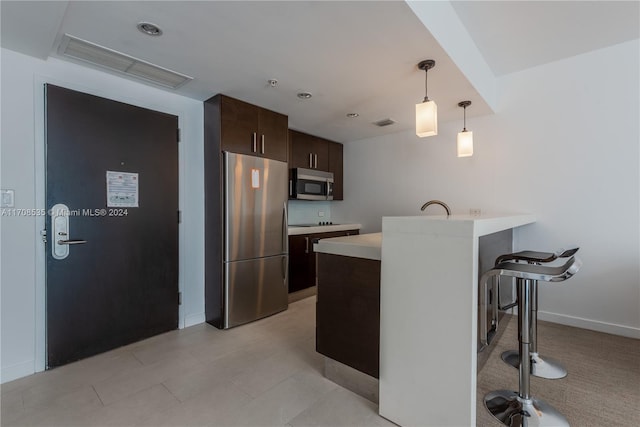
[542,367]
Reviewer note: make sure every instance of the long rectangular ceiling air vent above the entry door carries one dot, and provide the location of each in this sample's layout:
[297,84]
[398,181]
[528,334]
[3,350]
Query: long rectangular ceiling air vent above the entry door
[83,50]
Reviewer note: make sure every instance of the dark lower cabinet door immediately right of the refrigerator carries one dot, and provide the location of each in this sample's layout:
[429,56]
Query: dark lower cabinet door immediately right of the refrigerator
[302,263]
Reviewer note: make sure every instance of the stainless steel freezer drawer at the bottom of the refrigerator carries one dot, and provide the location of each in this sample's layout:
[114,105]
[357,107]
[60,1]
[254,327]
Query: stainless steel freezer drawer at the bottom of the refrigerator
[255,288]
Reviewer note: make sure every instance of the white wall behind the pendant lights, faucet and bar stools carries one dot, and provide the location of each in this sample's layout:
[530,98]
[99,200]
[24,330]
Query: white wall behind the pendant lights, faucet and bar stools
[564,145]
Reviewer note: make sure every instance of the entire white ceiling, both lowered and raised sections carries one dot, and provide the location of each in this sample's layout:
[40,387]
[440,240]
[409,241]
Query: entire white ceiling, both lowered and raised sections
[356,56]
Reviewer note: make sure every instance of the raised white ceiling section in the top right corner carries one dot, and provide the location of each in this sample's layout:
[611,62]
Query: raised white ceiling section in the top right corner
[515,35]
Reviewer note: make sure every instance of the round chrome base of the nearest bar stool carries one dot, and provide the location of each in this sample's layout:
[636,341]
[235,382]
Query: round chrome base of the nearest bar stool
[511,410]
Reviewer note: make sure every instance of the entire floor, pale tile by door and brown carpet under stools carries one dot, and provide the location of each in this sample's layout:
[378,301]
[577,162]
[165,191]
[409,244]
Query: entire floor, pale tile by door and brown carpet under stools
[267,373]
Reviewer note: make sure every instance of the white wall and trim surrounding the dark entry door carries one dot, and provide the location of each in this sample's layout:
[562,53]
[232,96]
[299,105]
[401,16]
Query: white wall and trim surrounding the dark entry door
[22,252]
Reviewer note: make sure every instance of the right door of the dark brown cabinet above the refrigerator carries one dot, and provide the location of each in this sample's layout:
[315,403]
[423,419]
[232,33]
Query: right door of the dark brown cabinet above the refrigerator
[272,138]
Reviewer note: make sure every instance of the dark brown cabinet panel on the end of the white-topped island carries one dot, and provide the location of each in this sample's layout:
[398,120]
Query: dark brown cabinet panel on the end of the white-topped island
[348,311]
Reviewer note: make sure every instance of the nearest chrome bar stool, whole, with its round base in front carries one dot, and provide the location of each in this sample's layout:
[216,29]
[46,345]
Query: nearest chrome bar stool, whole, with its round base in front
[520,408]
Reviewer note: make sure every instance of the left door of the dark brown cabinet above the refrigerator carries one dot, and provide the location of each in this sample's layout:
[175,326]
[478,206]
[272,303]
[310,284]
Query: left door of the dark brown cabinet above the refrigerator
[239,126]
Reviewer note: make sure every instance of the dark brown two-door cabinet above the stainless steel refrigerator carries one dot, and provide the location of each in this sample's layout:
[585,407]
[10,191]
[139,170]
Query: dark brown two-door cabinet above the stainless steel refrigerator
[248,129]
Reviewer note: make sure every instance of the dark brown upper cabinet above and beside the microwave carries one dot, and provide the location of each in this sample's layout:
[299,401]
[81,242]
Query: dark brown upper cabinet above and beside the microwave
[312,152]
